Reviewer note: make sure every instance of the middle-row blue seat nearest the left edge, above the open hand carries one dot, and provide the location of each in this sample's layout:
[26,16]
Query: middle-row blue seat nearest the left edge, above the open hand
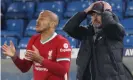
[14,27]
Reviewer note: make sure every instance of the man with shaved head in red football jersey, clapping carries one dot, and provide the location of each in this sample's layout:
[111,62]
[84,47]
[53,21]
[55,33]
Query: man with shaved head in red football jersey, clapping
[48,52]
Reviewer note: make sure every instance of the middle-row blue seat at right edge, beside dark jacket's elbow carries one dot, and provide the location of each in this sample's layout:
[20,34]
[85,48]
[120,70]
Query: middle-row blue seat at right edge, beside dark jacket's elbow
[127,23]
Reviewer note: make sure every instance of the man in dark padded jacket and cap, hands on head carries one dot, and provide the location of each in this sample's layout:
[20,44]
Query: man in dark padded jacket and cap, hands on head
[101,50]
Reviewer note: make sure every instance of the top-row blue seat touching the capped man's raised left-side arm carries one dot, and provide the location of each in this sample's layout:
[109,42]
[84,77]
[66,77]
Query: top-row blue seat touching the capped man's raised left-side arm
[75,6]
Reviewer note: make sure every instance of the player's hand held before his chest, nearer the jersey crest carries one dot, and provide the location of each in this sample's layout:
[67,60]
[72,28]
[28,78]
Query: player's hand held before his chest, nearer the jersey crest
[34,55]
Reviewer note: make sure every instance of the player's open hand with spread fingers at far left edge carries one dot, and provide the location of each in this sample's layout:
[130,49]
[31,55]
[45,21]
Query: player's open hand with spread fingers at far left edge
[9,50]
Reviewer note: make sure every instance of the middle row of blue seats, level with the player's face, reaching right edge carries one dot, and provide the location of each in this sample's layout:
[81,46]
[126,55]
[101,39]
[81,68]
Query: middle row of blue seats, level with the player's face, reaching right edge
[18,27]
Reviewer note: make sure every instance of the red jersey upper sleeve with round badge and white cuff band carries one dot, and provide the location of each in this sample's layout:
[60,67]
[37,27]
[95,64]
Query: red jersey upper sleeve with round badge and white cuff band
[64,51]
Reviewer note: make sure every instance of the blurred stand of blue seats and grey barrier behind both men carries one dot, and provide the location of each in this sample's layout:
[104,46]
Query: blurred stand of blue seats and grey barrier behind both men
[18,20]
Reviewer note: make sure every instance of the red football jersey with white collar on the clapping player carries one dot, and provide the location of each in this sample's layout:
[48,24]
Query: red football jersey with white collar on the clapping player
[56,52]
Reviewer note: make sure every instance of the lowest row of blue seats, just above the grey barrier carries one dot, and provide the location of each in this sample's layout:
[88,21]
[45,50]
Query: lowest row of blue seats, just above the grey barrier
[21,44]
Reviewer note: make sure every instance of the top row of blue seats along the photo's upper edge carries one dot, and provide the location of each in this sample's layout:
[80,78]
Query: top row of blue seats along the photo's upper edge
[30,10]
